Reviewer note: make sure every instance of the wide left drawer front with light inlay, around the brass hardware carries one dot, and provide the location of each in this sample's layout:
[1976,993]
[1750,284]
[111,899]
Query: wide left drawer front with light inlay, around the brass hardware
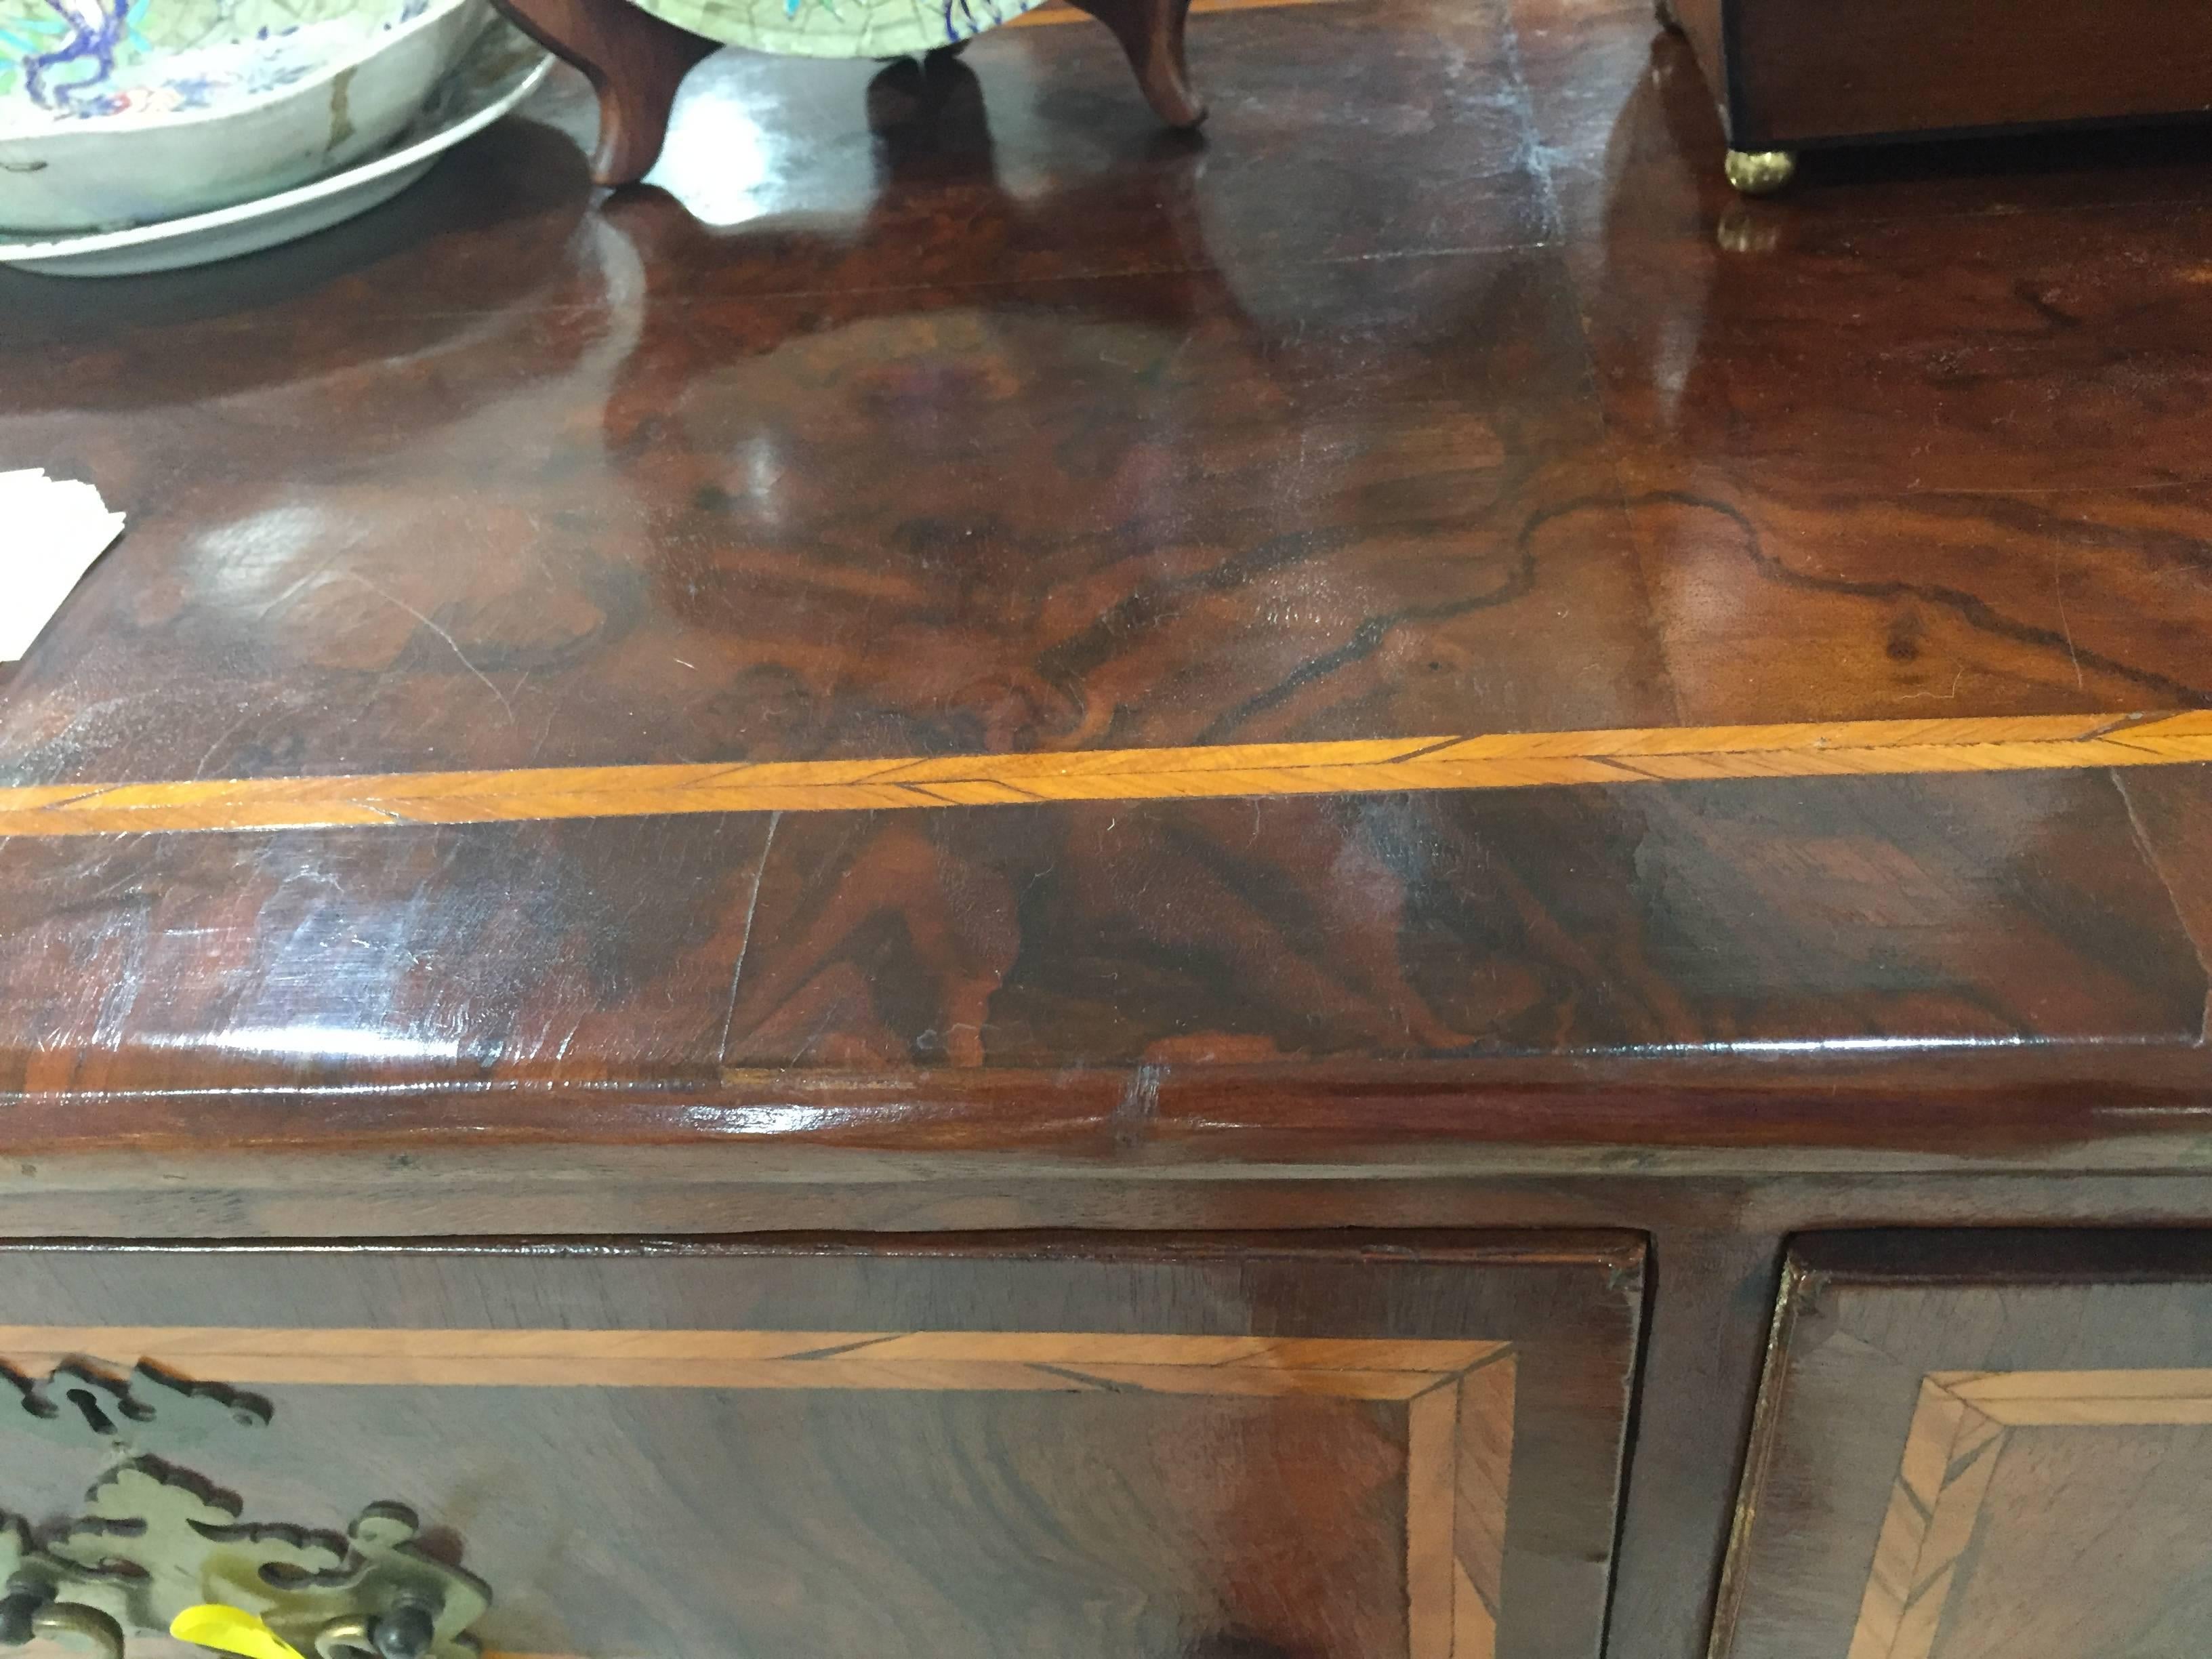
[1178,1450]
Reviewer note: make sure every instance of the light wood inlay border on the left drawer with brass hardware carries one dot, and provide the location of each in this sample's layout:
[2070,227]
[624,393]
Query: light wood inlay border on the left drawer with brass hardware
[1459,1399]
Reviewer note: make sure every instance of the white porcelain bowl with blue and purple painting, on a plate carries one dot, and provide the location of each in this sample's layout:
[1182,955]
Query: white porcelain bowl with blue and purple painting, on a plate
[129,112]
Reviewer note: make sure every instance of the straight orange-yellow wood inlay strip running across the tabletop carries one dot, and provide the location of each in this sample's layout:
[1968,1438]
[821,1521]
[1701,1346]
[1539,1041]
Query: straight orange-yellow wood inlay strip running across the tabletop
[1499,762]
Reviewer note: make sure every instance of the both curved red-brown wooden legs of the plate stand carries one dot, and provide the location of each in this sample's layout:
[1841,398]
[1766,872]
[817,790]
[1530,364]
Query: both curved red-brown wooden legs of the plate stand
[638,63]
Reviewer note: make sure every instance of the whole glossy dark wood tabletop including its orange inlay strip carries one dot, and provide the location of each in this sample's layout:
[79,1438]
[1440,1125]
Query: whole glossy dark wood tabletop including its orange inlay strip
[954,618]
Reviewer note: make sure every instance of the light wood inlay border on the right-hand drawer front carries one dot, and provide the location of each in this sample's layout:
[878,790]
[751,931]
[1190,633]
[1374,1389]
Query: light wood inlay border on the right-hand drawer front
[1952,1452]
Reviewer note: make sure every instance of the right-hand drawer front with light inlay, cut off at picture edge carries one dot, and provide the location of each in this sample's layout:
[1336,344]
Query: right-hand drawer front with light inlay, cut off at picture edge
[1981,1448]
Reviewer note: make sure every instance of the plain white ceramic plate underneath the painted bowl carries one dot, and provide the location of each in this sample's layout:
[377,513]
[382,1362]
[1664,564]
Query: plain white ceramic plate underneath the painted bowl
[499,72]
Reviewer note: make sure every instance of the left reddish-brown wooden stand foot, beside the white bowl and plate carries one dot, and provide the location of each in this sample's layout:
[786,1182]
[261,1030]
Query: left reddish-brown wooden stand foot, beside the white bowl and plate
[634,61]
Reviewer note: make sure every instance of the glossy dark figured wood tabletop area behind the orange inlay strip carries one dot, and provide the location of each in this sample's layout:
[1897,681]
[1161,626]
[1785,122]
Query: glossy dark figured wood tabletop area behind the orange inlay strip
[1293,448]
